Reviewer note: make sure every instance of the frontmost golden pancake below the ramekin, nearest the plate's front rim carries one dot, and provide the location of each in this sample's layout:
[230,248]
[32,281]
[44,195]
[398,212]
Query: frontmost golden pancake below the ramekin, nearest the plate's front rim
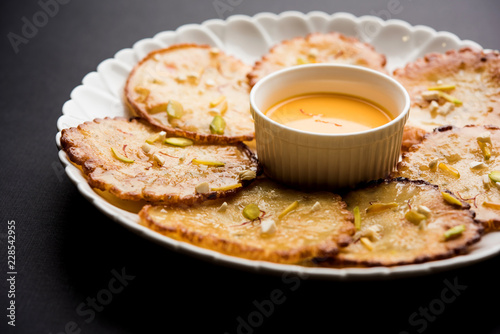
[317,226]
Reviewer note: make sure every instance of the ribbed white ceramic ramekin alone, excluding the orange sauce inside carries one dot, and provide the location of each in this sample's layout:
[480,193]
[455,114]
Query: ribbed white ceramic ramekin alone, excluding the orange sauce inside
[315,160]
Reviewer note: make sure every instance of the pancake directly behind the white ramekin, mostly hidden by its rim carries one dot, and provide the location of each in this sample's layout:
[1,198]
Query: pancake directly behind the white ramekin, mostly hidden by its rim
[317,48]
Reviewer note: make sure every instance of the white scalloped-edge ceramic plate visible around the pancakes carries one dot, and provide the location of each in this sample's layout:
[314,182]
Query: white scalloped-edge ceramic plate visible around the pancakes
[248,38]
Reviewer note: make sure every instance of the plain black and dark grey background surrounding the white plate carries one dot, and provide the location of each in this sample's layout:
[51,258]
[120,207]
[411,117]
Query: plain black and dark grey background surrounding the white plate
[66,248]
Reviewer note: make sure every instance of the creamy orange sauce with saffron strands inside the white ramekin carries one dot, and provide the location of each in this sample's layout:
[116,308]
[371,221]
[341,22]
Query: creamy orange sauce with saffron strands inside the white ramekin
[328,113]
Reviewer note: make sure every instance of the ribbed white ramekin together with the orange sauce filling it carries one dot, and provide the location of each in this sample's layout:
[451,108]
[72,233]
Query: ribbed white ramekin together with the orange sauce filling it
[315,125]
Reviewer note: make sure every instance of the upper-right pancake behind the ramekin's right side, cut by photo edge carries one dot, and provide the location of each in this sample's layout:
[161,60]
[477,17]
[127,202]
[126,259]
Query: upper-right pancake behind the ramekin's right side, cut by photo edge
[475,75]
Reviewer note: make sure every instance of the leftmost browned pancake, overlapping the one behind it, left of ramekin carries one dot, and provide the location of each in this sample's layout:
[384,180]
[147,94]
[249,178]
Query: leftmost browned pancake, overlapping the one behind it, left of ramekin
[155,171]
